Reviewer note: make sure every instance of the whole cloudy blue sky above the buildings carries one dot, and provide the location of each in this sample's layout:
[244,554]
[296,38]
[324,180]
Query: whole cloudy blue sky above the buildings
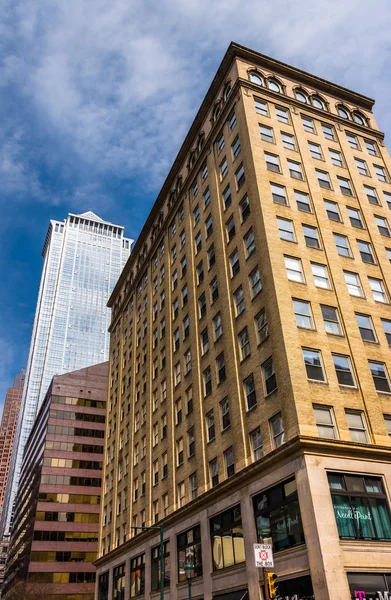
[97,95]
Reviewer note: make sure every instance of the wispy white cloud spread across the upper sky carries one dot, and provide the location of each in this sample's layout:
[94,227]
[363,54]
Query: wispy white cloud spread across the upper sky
[113,85]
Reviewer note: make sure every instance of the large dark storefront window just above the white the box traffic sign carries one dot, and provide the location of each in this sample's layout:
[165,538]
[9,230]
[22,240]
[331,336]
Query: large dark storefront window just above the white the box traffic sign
[277,516]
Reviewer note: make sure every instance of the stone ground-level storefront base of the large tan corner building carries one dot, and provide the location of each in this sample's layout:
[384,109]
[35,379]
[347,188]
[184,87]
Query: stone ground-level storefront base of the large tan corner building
[325,512]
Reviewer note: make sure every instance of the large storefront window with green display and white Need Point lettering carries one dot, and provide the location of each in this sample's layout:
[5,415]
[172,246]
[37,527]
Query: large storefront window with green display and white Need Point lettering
[360,506]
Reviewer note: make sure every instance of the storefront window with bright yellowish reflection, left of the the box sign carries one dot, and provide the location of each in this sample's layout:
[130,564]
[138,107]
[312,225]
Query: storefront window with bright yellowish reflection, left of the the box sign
[226,534]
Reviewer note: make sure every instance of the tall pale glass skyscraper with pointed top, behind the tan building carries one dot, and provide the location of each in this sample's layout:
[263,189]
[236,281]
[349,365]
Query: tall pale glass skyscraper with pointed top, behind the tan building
[83,258]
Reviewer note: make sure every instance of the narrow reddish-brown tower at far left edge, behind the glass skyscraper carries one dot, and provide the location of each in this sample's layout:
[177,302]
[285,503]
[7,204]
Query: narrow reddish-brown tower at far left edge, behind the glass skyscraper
[9,421]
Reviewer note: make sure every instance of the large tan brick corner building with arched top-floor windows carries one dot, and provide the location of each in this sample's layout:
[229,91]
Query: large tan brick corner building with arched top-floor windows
[250,362]
